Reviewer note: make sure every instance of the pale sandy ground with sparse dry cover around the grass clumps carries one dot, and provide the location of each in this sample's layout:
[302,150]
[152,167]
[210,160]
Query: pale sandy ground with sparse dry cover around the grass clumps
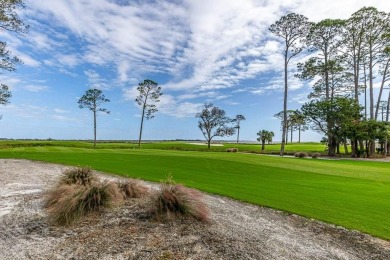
[237,230]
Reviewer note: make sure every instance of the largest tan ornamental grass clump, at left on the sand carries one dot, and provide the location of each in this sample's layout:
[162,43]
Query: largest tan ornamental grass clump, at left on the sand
[67,203]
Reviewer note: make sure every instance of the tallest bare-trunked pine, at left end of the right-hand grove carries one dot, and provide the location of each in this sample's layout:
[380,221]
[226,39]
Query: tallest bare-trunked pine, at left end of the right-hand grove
[292,28]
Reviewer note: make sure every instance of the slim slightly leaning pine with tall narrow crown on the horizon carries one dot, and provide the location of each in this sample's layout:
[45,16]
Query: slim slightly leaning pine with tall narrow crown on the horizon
[149,91]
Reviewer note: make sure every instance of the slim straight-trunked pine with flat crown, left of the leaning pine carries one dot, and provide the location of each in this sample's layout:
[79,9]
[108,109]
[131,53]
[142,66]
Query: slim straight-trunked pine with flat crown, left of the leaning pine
[93,99]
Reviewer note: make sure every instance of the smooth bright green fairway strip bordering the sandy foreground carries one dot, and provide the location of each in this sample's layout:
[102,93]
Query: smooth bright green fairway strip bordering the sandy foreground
[354,194]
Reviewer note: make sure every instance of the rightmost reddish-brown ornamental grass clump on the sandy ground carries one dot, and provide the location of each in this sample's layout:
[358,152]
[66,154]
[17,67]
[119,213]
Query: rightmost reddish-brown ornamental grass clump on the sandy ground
[176,200]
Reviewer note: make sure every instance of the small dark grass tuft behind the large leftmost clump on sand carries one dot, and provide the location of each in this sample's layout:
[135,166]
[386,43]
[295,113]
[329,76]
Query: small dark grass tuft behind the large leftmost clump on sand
[80,175]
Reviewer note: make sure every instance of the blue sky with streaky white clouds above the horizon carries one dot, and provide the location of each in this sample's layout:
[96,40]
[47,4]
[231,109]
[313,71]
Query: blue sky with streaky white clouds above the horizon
[217,51]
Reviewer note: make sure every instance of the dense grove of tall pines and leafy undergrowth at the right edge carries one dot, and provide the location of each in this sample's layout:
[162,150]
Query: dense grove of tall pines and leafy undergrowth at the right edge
[347,55]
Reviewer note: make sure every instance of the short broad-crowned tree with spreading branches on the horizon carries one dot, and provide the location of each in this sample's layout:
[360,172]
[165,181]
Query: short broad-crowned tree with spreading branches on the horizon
[214,122]
